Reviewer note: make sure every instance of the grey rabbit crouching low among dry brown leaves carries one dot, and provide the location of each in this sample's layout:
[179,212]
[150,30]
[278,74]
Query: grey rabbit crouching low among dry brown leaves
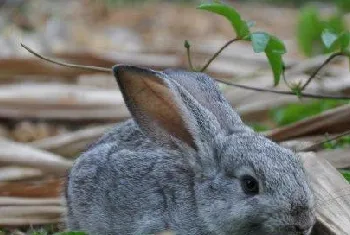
[185,162]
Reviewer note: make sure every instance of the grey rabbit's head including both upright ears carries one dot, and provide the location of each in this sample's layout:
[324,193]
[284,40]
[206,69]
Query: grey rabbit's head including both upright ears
[244,184]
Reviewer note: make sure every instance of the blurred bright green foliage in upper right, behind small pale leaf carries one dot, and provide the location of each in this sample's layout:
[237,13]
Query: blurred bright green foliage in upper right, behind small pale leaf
[311,28]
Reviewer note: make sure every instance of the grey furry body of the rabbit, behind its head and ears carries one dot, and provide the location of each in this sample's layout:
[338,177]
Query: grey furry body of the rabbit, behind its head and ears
[131,186]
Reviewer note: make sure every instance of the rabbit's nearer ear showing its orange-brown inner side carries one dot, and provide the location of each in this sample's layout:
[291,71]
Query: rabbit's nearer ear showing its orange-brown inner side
[152,104]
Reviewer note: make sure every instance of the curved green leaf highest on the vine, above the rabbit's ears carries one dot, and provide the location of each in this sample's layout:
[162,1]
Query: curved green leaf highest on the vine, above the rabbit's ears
[240,26]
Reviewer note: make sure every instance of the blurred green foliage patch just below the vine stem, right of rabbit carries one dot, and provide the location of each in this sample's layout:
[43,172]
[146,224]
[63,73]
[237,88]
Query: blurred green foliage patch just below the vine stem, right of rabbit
[296,112]
